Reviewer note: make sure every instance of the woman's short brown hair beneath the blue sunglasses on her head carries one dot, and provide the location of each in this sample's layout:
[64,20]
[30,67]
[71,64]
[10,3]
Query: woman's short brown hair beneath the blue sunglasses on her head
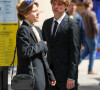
[24,9]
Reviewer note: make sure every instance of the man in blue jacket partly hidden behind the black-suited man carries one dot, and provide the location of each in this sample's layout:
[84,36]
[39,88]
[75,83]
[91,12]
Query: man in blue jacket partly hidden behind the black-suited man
[74,15]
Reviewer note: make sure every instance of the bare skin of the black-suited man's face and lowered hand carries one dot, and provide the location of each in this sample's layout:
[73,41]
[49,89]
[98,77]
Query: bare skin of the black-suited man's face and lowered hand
[58,9]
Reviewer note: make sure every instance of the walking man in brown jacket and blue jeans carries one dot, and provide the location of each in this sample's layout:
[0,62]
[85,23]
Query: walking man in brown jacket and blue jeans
[90,23]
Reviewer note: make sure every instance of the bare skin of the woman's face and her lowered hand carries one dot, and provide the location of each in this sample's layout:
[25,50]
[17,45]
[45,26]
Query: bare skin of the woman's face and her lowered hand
[34,17]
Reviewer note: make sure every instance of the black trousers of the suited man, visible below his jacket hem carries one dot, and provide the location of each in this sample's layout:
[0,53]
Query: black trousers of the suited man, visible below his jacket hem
[62,86]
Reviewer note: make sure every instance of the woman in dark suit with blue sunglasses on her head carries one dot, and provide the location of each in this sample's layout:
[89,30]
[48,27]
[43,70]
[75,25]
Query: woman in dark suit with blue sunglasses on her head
[29,48]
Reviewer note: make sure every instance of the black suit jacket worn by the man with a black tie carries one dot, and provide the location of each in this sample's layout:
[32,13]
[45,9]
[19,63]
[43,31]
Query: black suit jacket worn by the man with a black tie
[63,55]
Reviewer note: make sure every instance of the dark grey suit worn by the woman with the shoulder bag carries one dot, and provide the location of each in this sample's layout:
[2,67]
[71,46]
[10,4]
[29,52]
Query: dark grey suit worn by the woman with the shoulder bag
[29,49]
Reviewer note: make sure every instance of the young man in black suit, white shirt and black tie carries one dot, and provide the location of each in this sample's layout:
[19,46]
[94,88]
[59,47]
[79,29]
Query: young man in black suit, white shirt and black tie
[62,35]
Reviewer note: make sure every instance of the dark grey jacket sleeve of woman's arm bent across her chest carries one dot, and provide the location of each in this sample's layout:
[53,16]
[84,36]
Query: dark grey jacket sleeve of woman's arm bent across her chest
[24,47]
